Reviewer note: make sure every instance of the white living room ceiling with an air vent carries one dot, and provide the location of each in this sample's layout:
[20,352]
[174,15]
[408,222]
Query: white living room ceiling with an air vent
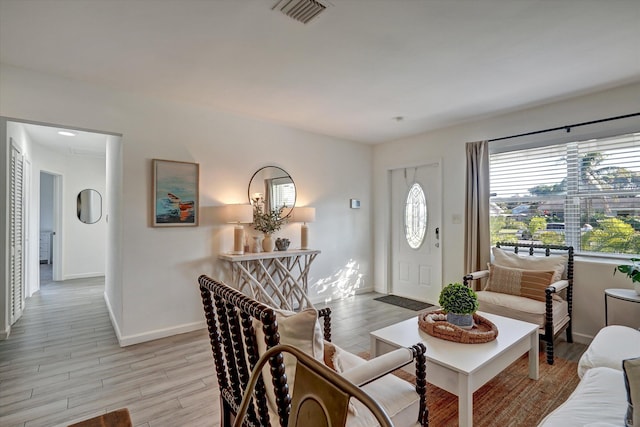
[348,72]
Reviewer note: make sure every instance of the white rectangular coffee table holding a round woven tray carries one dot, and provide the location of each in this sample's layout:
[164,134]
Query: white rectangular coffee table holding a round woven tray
[461,369]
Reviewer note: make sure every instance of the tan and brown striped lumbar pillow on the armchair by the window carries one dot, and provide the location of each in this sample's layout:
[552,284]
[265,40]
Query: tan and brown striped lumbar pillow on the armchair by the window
[516,281]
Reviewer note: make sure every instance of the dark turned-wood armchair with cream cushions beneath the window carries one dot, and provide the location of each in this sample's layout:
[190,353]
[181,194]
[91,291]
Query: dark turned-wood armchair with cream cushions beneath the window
[558,293]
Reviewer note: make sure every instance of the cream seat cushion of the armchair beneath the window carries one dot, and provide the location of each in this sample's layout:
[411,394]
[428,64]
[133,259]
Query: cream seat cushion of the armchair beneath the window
[525,309]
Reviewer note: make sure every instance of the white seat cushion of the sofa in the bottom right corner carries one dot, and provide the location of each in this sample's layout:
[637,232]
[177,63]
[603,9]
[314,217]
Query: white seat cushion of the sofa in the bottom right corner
[599,397]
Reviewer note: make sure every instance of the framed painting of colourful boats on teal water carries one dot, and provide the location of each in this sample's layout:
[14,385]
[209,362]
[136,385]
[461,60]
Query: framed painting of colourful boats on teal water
[175,193]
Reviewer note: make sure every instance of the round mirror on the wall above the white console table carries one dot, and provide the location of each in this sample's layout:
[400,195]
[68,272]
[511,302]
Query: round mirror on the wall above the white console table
[274,187]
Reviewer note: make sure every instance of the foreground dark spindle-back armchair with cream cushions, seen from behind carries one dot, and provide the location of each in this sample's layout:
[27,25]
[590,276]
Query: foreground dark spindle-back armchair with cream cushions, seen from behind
[242,329]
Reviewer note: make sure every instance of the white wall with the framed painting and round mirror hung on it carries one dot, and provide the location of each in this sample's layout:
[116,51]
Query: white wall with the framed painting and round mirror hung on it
[158,290]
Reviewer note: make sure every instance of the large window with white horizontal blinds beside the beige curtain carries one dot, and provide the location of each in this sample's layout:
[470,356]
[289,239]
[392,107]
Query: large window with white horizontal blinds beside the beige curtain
[585,194]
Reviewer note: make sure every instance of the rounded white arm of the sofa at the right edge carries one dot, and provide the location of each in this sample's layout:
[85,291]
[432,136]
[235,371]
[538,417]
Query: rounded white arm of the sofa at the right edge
[609,347]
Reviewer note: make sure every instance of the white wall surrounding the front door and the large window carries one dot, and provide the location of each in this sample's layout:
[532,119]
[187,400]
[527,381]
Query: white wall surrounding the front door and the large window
[591,277]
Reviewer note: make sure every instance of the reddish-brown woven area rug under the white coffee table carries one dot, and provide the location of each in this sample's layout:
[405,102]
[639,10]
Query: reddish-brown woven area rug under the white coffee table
[510,399]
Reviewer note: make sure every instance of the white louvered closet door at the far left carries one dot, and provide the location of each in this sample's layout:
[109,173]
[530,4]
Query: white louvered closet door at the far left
[16,235]
